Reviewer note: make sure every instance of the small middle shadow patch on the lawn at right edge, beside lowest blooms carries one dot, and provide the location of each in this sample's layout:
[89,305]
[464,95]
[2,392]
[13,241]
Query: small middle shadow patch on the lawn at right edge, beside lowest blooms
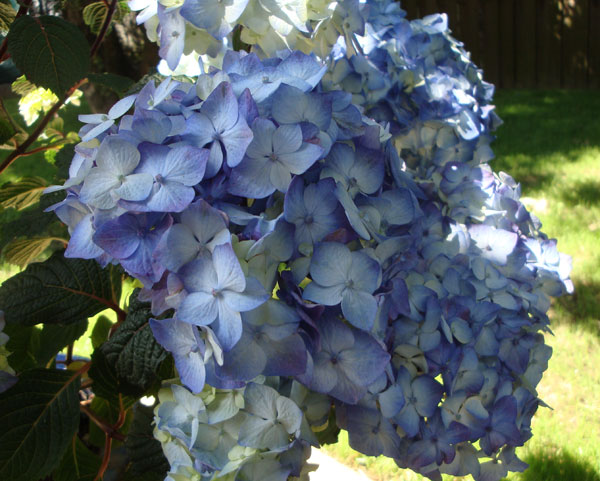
[582,308]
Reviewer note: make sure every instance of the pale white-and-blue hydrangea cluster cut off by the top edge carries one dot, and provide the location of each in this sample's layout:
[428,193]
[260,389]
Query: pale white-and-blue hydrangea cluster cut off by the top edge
[186,28]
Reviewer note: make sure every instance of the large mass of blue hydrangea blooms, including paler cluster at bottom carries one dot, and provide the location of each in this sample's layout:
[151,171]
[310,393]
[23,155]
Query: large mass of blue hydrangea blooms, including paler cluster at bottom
[300,255]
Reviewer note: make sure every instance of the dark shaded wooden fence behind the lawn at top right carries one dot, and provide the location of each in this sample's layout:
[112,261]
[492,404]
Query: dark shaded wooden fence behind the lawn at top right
[525,43]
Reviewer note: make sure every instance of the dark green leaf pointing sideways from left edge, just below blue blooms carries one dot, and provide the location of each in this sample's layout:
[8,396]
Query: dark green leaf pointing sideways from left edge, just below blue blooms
[59,291]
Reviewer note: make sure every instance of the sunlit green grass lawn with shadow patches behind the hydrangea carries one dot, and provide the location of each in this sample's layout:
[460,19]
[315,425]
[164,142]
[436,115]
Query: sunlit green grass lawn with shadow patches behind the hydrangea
[550,142]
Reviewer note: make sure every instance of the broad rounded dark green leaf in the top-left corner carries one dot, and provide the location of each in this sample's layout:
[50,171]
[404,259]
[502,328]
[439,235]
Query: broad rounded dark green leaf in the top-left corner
[62,54]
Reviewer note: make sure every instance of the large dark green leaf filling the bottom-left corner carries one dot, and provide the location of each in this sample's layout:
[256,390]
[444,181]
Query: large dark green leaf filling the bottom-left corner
[39,416]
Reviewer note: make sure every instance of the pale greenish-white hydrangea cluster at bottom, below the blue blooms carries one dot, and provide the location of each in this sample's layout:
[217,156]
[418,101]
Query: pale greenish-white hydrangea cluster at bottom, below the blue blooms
[252,433]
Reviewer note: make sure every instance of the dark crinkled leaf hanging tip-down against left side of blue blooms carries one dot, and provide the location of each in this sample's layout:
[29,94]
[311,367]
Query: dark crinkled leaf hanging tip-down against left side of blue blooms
[133,352]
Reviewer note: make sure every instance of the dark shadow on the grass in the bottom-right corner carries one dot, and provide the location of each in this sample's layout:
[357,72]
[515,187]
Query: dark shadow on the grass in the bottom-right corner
[557,465]
